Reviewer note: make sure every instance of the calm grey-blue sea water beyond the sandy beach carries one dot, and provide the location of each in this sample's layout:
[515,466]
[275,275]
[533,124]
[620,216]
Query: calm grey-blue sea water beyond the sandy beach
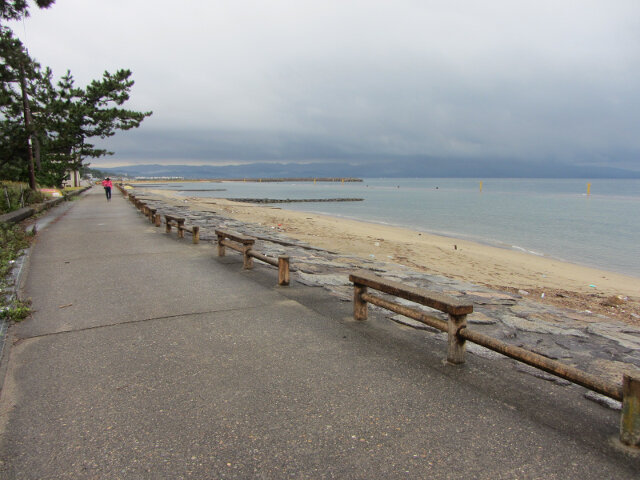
[554,218]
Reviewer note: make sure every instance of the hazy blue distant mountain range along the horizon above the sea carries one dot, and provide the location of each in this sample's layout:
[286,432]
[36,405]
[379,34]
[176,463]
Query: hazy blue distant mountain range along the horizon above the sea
[418,167]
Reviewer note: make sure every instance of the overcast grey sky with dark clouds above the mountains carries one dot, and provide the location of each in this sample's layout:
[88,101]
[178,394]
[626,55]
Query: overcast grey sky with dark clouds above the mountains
[301,80]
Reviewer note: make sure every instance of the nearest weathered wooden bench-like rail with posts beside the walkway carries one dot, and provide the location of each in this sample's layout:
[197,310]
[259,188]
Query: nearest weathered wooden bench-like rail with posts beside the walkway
[459,333]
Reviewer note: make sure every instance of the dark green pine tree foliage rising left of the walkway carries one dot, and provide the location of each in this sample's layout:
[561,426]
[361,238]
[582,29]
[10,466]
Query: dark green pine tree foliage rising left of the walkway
[63,116]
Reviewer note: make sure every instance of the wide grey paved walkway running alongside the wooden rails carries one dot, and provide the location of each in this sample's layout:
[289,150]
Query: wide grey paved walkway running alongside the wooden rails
[148,357]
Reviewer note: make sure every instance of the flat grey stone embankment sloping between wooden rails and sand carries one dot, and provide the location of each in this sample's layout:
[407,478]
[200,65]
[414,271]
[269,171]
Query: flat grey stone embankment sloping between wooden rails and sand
[594,343]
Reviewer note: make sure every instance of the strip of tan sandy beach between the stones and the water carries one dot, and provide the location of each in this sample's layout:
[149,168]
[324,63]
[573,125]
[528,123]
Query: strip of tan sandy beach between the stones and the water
[545,279]
